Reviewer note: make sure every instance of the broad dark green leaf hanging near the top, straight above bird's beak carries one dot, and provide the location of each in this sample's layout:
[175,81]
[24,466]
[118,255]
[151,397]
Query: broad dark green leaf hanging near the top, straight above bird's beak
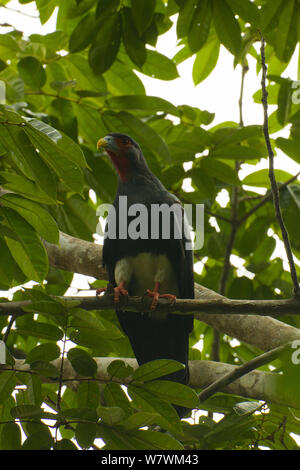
[105,46]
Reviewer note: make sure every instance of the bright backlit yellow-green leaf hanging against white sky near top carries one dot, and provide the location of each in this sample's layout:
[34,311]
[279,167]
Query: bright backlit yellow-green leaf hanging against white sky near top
[206,60]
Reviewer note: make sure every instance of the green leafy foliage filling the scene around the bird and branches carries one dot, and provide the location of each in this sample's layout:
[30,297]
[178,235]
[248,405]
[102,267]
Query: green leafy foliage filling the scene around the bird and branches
[63,91]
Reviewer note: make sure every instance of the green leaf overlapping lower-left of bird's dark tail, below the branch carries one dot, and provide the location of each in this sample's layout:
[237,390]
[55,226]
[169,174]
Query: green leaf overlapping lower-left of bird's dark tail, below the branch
[154,369]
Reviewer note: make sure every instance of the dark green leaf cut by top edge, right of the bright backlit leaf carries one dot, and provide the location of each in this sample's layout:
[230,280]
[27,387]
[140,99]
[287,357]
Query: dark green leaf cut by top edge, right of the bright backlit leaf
[227,27]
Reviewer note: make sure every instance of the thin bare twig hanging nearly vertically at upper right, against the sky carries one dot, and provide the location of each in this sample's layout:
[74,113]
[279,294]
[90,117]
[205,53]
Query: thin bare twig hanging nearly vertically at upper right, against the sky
[274,187]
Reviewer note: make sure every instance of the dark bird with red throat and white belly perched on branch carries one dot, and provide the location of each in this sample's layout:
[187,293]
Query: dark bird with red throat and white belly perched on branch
[152,265]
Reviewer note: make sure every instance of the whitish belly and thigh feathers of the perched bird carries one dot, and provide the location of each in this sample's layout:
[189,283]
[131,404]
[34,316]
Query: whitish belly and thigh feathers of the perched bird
[142,271]
